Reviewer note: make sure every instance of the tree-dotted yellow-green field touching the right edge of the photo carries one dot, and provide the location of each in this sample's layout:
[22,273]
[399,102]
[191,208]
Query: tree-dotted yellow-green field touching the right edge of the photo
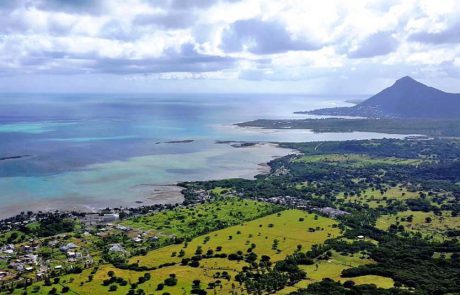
[436,227]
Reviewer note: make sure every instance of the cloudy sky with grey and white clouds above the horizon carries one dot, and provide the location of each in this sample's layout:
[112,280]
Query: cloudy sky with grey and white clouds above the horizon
[285,46]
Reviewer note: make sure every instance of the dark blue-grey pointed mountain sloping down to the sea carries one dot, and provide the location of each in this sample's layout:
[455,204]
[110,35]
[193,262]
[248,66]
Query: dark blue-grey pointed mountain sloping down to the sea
[406,98]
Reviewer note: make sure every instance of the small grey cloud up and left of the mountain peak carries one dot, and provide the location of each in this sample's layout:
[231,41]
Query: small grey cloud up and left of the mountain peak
[377,44]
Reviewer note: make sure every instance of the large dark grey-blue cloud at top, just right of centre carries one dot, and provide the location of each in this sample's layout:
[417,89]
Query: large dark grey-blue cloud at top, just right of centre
[261,37]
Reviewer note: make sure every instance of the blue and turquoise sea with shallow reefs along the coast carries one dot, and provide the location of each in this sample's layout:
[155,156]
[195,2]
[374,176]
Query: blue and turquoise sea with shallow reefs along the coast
[86,151]
